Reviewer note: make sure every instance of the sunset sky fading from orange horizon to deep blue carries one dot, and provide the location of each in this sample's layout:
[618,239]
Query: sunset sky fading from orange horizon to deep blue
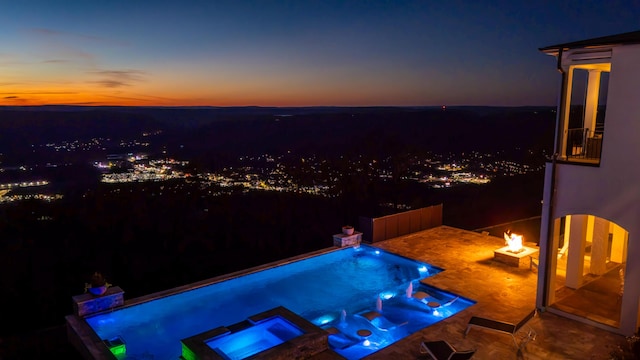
[293,53]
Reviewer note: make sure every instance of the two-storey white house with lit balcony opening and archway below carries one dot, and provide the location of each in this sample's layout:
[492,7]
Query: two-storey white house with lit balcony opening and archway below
[589,267]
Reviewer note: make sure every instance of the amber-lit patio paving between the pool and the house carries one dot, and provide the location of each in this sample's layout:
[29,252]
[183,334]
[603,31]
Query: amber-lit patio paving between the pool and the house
[502,292]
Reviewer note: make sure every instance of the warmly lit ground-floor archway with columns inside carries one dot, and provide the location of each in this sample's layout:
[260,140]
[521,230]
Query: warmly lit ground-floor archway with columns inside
[590,265]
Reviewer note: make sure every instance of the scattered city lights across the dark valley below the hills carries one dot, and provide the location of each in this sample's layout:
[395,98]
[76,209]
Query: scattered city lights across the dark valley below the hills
[288,172]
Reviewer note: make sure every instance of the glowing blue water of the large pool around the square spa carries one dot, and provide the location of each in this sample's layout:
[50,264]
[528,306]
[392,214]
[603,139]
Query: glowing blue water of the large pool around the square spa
[334,290]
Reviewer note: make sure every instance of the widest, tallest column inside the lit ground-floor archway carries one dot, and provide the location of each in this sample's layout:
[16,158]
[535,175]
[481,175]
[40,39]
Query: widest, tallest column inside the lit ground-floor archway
[577,236]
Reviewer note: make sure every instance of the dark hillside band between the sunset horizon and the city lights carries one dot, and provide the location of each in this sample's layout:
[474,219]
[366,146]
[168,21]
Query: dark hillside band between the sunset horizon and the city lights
[304,130]
